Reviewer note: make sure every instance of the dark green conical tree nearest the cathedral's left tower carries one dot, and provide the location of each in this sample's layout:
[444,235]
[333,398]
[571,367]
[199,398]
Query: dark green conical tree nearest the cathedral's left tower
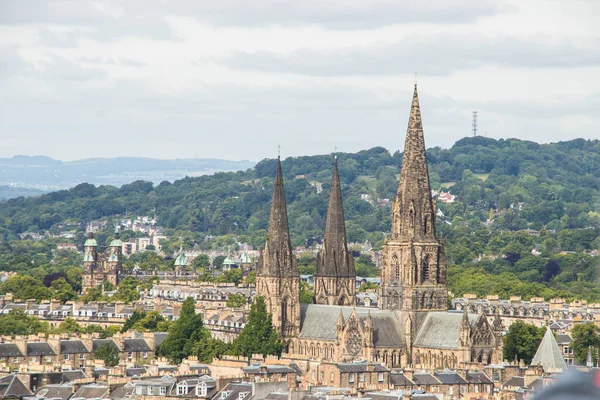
[258,336]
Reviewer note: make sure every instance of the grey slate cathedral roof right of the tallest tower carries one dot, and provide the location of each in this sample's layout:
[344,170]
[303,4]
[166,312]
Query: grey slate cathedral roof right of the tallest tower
[441,330]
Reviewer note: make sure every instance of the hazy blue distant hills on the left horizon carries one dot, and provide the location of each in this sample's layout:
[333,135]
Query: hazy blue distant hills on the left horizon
[45,174]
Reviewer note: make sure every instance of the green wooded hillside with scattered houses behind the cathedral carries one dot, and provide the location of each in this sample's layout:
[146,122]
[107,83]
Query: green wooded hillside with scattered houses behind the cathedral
[512,197]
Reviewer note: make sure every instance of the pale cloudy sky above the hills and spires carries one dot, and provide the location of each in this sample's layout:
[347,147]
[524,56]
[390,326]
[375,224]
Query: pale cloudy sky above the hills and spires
[235,78]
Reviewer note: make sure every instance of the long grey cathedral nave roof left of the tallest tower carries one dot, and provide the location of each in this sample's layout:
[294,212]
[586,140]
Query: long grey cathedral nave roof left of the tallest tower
[316,323]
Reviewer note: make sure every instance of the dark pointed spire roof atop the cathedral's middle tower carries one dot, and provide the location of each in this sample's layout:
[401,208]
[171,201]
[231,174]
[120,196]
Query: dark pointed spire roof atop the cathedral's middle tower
[333,259]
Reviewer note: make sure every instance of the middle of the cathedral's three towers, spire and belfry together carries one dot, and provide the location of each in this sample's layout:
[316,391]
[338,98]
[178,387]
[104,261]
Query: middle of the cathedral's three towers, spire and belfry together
[335,277]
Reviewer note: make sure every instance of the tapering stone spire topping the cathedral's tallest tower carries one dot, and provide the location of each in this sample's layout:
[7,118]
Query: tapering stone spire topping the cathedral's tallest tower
[416,216]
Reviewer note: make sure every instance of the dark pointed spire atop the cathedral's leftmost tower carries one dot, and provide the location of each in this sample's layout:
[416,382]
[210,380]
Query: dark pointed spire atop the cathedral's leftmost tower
[277,257]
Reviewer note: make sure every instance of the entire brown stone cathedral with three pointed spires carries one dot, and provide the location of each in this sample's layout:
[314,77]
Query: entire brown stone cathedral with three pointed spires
[412,326]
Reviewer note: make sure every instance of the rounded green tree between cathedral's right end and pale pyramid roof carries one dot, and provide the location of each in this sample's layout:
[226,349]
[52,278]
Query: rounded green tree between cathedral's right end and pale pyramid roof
[522,341]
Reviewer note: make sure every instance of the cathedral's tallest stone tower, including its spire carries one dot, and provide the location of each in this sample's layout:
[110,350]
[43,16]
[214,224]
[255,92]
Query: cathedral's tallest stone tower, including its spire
[413,277]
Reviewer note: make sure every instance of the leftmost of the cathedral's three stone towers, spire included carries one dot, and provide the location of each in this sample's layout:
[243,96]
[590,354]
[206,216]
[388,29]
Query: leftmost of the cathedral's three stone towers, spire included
[277,276]
